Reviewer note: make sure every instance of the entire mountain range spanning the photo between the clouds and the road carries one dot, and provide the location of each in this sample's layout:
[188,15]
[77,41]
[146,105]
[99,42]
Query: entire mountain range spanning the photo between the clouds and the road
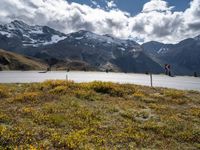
[86,50]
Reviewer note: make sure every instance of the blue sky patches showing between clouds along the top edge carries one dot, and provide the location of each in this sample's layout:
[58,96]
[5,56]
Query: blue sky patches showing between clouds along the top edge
[135,6]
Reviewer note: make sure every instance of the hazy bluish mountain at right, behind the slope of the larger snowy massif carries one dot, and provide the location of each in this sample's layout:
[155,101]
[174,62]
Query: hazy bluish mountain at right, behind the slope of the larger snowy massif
[183,56]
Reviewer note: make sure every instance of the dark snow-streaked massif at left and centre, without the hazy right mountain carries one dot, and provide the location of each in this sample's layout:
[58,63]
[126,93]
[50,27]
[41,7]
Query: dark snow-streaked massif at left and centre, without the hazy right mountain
[98,51]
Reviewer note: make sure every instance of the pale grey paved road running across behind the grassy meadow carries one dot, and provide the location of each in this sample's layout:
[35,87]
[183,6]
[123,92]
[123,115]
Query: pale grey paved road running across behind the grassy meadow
[179,82]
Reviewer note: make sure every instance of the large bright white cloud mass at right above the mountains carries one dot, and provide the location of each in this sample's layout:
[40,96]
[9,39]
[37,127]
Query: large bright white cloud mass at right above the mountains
[158,22]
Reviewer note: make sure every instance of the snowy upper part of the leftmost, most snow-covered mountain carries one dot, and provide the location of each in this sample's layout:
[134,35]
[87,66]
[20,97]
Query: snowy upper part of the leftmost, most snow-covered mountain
[31,35]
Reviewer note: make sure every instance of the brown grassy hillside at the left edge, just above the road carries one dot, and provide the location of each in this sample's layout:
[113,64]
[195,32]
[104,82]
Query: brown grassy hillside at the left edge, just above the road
[13,61]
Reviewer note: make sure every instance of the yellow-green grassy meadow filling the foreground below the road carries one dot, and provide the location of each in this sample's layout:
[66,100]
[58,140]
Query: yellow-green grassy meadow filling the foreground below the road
[67,115]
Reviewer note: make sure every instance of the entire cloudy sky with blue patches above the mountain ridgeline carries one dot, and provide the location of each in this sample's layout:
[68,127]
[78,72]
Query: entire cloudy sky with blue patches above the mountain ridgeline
[167,21]
